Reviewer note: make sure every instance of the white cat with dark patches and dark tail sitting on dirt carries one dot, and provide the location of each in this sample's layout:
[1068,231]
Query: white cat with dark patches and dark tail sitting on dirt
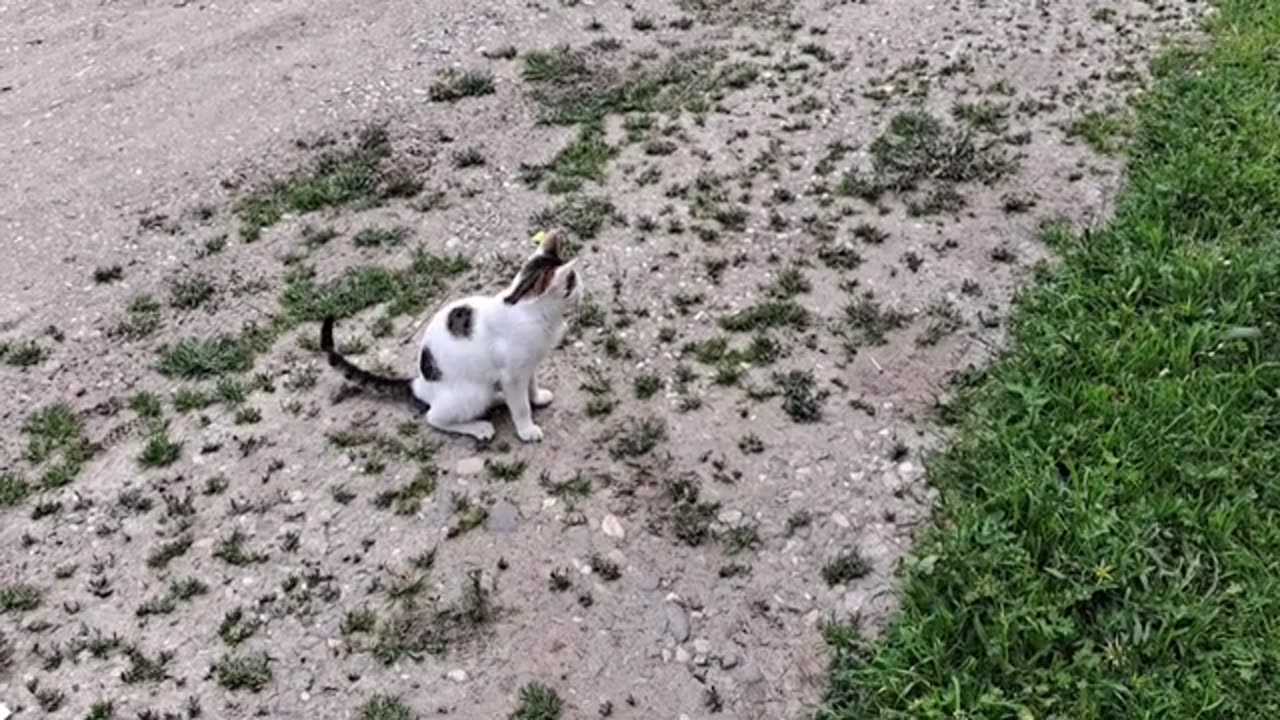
[484,350]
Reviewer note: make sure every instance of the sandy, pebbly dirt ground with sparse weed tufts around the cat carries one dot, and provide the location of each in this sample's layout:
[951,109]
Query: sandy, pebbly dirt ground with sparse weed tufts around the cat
[848,193]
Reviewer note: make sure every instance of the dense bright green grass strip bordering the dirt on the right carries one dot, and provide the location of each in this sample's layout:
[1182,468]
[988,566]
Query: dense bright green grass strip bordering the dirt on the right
[1109,521]
